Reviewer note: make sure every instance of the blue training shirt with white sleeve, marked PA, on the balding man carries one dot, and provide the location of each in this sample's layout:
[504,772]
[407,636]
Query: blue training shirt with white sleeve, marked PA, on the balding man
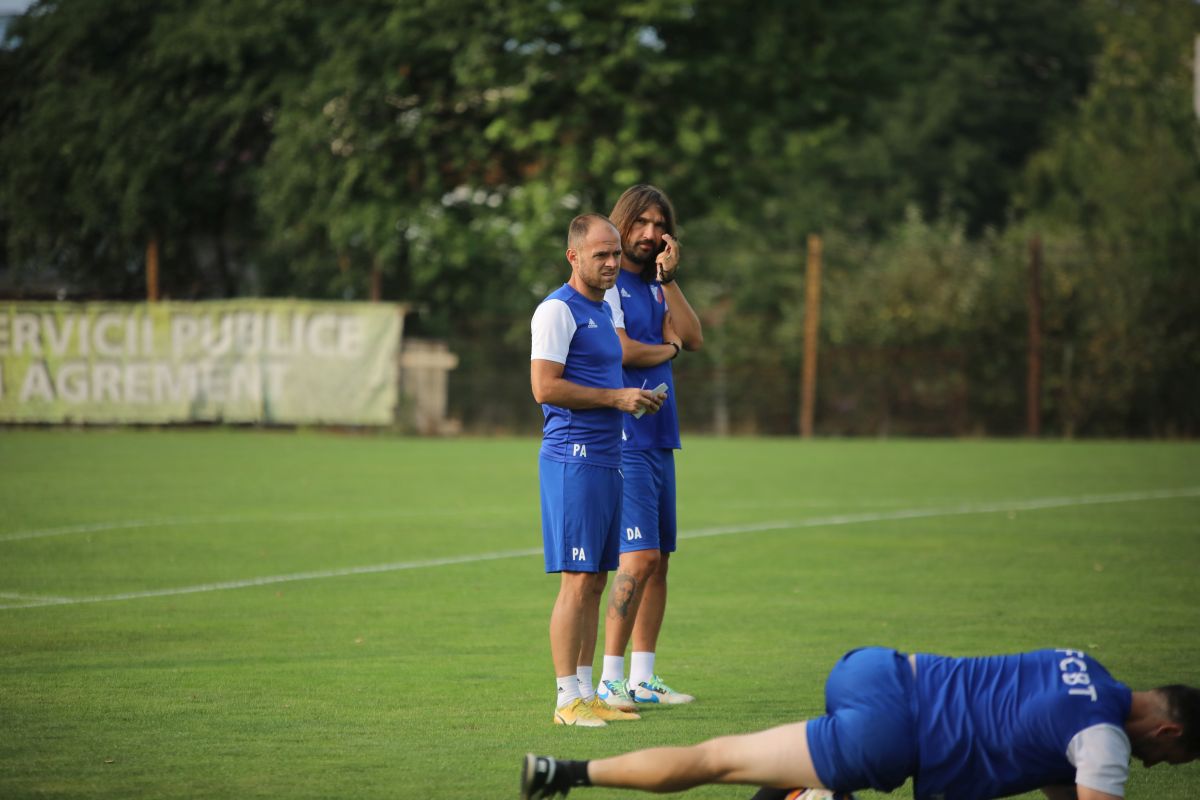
[578,333]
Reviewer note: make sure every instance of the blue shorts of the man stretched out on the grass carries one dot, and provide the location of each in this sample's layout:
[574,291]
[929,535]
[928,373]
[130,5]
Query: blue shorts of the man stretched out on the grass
[867,741]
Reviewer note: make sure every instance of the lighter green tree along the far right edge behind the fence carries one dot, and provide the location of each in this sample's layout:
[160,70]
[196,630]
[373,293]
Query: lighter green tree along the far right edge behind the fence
[1119,194]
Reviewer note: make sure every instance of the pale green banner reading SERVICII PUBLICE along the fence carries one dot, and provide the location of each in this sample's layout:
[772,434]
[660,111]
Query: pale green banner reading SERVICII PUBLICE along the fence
[273,362]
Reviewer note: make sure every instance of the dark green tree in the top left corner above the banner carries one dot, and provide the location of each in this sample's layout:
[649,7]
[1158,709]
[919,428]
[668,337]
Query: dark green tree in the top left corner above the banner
[128,125]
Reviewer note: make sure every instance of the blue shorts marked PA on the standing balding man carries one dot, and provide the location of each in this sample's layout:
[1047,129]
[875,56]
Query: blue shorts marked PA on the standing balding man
[580,516]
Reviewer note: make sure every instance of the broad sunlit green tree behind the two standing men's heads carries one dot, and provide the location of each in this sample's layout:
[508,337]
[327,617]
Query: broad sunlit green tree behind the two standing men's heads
[449,143]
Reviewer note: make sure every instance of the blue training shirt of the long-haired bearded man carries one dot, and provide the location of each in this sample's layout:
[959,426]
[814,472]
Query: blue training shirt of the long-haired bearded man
[640,309]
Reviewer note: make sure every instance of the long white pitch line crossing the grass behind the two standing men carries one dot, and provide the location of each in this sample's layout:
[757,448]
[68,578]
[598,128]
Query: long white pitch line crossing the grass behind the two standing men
[814,522]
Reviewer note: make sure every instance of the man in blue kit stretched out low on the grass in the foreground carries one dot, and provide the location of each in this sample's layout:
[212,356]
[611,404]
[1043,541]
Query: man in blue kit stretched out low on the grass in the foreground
[962,729]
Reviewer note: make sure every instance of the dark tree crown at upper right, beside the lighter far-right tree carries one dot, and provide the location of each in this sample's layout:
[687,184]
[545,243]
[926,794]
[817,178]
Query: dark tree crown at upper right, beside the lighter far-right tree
[968,93]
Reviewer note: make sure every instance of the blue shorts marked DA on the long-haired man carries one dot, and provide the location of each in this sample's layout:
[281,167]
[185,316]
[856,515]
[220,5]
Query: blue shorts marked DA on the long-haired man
[649,520]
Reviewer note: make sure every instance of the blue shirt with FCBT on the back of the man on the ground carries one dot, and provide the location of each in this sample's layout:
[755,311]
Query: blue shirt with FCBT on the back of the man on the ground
[1004,725]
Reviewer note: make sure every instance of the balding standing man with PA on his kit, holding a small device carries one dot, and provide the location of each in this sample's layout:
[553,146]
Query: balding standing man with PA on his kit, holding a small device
[575,375]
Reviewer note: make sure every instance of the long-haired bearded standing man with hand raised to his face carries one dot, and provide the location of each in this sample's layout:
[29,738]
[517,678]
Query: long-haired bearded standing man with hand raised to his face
[655,322]
